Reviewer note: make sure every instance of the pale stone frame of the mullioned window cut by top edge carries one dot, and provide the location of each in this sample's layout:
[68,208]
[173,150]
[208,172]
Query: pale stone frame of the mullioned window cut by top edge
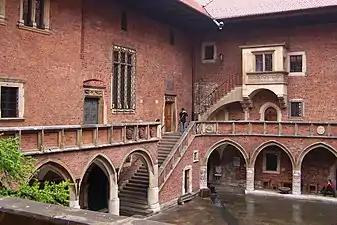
[46,17]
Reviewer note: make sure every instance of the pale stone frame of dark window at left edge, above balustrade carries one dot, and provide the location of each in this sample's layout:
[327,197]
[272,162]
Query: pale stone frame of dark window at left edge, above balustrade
[20,103]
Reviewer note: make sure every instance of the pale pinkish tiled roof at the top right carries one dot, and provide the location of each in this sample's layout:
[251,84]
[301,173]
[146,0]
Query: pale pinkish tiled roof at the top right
[222,9]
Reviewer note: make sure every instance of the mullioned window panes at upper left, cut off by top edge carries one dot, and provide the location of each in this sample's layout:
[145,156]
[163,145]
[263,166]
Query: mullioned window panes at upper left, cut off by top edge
[35,13]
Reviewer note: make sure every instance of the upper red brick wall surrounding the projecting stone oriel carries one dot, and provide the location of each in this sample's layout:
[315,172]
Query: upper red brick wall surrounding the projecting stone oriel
[319,43]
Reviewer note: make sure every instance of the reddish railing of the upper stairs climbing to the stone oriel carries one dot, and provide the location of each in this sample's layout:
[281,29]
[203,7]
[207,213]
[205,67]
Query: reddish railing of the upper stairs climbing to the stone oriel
[224,88]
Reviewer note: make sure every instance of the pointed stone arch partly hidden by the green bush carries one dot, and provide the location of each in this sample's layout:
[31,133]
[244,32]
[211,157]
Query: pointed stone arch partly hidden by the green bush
[58,166]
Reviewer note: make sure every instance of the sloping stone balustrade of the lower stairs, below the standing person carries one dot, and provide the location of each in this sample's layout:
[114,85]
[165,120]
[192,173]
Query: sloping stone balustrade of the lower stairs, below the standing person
[176,154]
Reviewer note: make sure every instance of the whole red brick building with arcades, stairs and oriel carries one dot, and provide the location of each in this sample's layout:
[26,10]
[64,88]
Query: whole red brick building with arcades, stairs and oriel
[83,82]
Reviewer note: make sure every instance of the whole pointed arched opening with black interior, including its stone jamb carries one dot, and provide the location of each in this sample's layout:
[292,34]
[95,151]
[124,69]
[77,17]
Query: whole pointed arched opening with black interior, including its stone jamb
[98,190]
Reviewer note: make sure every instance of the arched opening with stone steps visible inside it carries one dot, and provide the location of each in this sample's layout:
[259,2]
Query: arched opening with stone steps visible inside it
[134,181]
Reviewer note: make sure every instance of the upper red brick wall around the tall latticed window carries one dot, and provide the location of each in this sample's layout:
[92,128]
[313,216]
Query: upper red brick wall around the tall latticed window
[54,72]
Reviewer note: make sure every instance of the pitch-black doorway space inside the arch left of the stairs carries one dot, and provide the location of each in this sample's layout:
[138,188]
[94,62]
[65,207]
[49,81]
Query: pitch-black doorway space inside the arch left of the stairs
[98,190]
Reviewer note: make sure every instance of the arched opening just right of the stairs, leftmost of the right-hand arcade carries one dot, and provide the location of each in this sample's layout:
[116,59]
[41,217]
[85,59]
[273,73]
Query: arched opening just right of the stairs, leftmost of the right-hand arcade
[226,167]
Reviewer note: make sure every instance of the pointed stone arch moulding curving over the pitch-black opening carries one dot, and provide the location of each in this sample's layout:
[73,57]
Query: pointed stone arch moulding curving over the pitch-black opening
[106,165]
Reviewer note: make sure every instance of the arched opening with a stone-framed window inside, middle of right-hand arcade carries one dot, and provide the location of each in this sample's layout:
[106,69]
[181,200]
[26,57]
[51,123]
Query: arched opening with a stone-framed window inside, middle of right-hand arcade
[273,169]
